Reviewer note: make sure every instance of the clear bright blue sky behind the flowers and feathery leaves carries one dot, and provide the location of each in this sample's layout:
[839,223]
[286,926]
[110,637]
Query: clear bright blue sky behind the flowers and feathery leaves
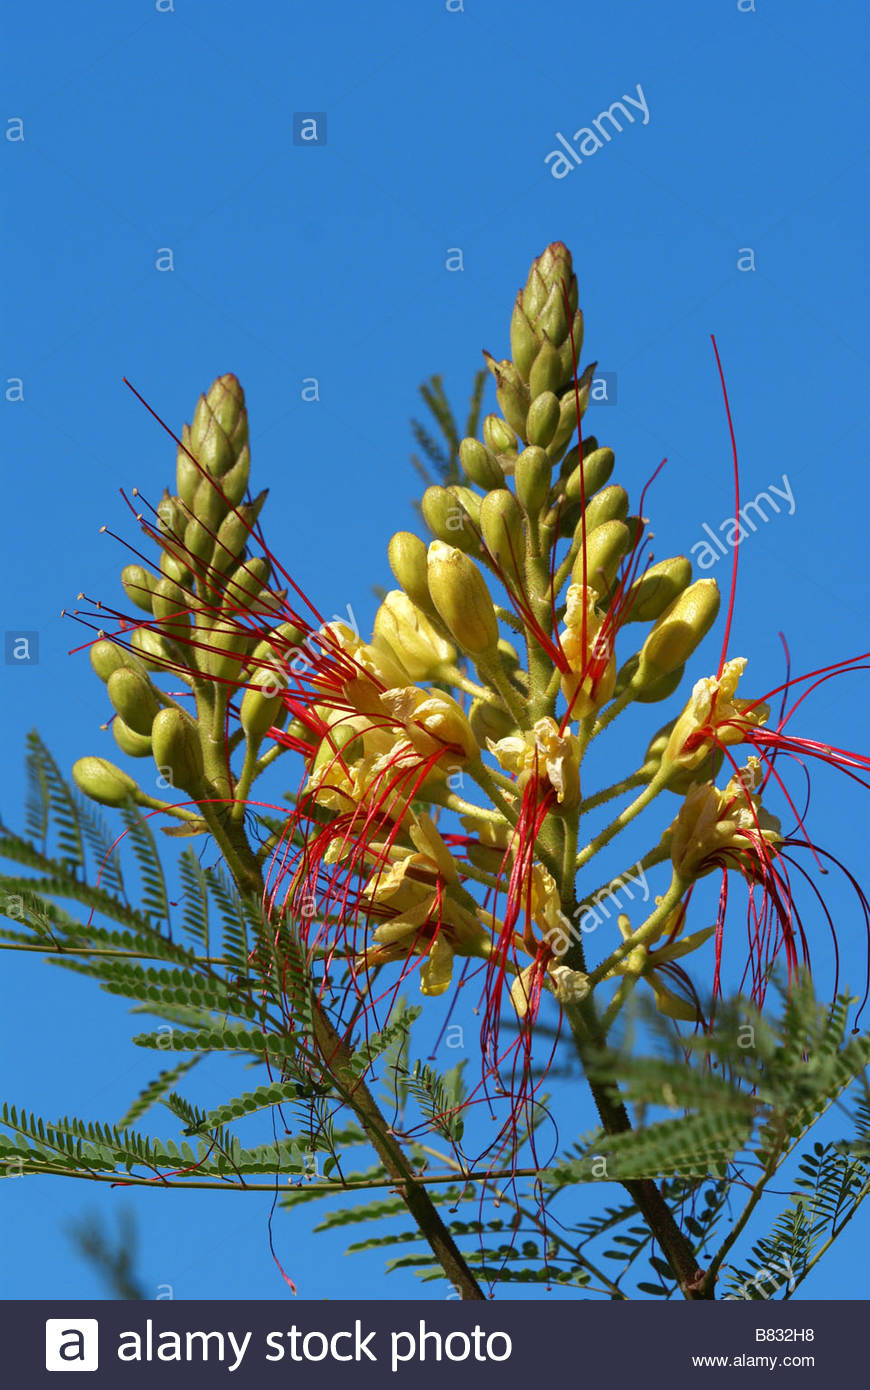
[149,130]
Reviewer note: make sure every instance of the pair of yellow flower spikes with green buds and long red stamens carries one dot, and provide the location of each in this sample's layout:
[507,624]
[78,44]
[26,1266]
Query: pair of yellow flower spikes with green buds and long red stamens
[440,814]
